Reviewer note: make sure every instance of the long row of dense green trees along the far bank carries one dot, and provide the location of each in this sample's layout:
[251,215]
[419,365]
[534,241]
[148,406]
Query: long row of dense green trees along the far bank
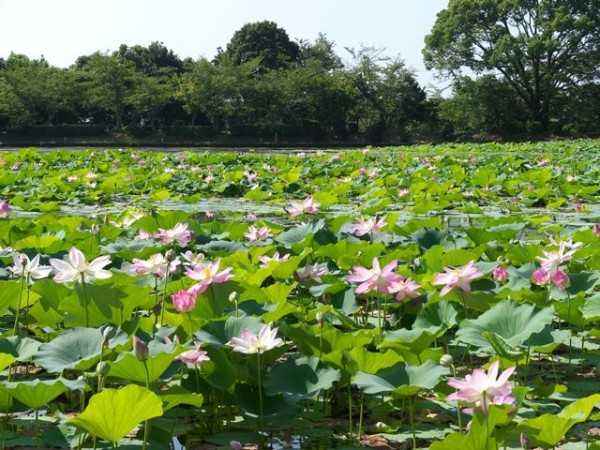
[263,84]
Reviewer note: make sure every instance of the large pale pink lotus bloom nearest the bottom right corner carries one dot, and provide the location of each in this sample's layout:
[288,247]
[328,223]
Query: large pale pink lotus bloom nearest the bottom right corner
[484,389]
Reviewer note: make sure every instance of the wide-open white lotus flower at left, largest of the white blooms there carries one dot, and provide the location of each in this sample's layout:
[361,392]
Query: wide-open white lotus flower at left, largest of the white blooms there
[77,269]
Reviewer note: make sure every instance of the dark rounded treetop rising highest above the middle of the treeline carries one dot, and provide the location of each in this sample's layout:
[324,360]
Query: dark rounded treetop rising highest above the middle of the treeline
[263,40]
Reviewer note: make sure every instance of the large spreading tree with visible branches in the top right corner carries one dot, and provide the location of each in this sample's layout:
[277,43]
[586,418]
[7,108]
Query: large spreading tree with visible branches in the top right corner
[540,47]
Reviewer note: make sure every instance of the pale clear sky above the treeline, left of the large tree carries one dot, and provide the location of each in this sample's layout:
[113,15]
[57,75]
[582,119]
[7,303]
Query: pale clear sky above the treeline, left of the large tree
[62,30]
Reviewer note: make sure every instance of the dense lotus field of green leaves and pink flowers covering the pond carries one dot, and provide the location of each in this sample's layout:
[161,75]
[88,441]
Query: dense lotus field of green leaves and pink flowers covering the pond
[425,297]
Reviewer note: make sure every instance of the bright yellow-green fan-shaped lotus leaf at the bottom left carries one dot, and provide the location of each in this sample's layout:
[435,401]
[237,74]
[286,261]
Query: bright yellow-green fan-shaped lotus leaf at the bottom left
[113,413]
